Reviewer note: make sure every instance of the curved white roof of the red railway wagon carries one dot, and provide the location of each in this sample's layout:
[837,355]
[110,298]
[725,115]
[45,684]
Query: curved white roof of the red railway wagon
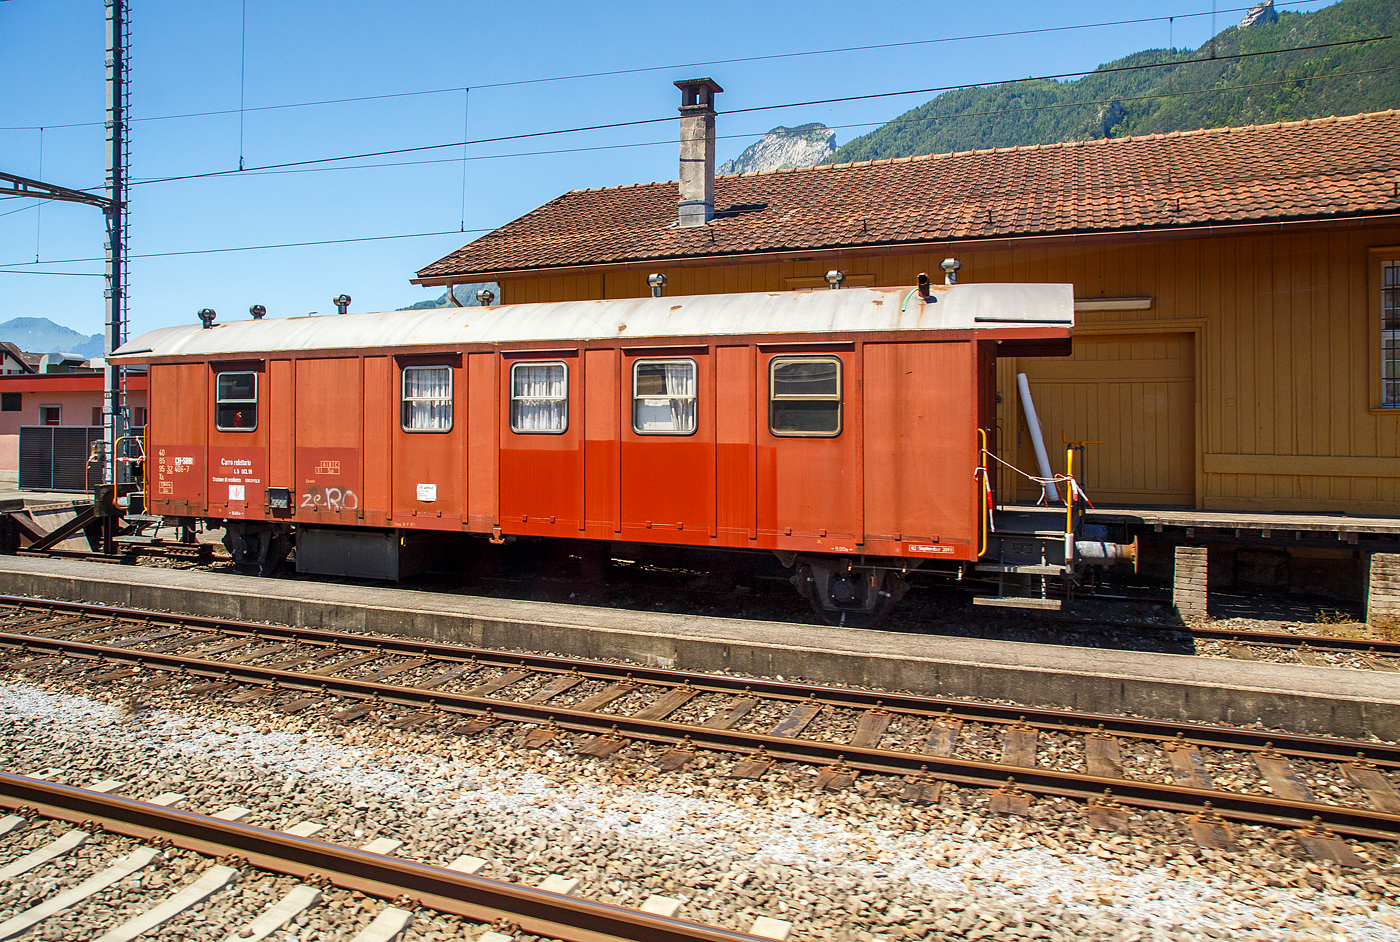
[964,307]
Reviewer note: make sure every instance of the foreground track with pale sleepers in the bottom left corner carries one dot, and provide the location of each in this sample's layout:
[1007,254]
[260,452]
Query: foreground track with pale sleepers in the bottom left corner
[143,836]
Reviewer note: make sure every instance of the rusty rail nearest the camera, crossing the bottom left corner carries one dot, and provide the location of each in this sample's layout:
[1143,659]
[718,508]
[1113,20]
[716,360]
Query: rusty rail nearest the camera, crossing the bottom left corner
[393,878]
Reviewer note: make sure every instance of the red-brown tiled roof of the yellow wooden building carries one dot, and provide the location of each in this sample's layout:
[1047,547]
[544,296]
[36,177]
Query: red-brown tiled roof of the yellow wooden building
[1268,173]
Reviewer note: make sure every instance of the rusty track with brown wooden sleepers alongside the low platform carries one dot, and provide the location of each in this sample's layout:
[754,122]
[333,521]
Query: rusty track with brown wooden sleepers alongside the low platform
[605,708]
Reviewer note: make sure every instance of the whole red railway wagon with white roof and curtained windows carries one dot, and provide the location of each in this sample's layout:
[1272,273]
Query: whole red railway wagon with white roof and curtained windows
[839,430]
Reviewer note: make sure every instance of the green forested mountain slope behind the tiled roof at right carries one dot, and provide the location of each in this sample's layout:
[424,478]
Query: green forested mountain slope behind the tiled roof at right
[1206,92]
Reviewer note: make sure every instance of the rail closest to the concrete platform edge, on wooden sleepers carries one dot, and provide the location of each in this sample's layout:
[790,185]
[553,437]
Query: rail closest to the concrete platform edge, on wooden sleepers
[1067,722]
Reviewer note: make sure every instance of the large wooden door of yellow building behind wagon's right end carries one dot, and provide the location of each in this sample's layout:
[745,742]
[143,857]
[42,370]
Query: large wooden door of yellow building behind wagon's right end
[1133,393]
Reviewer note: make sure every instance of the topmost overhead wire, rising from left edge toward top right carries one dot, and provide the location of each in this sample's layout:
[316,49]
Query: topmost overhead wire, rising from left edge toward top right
[1004,34]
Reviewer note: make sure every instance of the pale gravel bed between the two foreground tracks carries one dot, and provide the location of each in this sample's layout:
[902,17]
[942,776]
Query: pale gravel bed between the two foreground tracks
[839,866]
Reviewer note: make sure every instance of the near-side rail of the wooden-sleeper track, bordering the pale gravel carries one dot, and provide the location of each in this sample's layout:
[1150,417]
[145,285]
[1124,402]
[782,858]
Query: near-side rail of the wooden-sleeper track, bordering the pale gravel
[1259,810]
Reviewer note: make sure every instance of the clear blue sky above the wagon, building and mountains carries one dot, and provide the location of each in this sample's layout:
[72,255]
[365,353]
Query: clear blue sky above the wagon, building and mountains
[190,57]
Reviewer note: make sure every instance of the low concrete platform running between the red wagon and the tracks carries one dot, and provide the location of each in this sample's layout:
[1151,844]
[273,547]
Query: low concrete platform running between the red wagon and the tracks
[1217,691]
